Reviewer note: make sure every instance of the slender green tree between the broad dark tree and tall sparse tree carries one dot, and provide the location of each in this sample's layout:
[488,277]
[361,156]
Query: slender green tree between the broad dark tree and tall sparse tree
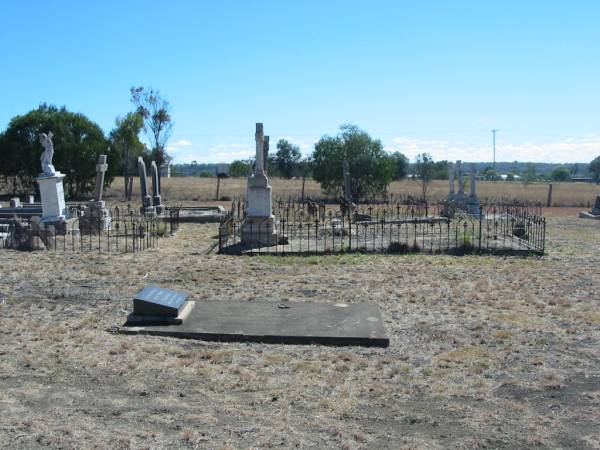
[125,142]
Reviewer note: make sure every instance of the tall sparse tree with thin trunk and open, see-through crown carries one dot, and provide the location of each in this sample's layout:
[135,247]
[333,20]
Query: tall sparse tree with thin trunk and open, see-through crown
[158,125]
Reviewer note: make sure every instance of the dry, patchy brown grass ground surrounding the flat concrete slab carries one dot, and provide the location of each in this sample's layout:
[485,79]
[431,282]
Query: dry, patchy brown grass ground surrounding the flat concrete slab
[485,352]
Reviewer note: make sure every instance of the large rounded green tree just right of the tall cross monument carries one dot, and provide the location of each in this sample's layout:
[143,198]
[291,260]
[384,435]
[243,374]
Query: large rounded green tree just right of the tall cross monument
[371,169]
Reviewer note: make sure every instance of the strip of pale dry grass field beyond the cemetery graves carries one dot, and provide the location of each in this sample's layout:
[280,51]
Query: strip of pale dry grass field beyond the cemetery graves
[186,189]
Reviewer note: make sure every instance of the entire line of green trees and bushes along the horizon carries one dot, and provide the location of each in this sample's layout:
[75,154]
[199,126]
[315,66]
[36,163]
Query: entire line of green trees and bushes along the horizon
[78,141]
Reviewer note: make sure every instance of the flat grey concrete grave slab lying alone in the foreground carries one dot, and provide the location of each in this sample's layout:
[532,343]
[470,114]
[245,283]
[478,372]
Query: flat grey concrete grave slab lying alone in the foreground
[300,323]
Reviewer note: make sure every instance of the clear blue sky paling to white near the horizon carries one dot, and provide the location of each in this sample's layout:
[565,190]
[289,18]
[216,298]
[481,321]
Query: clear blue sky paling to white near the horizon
[427,76]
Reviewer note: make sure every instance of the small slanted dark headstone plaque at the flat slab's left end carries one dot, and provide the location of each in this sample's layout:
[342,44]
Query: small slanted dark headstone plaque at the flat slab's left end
[158,302]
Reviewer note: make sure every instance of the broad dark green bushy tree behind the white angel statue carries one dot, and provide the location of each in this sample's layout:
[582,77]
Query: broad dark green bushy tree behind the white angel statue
[77,144]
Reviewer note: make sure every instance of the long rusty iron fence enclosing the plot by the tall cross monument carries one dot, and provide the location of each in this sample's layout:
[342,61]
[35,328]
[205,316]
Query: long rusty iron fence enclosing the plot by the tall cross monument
[402,227]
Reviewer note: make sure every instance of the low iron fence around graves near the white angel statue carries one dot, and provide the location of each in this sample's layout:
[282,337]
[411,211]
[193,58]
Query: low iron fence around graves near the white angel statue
[123,230]
